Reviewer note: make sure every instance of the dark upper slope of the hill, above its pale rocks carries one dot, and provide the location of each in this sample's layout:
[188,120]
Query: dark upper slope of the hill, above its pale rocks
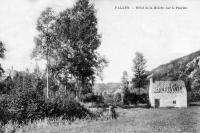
[174,69]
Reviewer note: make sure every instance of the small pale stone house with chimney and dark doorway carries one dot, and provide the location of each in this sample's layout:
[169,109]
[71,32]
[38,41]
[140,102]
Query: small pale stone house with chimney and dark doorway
[167,93]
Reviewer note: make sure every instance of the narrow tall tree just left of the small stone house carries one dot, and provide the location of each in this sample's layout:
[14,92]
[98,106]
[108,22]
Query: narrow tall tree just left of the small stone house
[139,65]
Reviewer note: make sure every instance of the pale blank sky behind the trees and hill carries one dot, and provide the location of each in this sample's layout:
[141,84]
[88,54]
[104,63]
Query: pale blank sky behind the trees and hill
[160,34]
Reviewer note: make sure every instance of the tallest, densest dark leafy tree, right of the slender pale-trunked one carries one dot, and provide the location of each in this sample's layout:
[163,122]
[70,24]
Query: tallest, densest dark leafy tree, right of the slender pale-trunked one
[79,26]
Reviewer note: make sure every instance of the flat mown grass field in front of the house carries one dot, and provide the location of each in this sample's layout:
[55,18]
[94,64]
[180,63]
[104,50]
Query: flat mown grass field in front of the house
[137,120]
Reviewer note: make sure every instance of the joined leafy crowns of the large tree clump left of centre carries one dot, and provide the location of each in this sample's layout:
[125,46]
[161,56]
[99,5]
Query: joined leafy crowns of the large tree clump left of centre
[72,41]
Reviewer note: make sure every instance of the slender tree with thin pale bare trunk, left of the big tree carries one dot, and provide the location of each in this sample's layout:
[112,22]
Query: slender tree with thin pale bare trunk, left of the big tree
[46,40]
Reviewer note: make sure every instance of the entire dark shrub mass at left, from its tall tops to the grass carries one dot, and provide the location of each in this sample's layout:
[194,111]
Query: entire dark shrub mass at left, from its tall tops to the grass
[24,101]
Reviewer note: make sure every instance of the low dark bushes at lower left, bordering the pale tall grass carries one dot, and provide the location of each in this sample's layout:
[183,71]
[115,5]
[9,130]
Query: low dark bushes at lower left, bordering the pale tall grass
[30,105]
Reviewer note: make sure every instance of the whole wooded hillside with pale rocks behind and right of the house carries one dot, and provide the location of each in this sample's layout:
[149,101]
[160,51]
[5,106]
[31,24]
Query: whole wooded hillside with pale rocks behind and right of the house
[185,68]
